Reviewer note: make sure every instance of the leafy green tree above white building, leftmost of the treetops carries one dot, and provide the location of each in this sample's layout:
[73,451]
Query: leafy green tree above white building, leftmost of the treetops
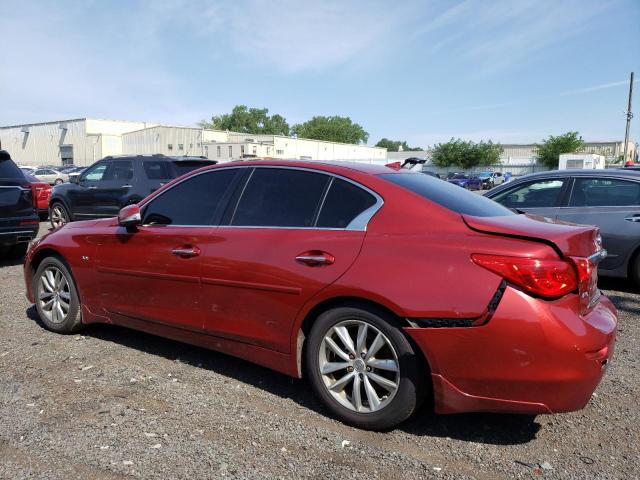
[249,120]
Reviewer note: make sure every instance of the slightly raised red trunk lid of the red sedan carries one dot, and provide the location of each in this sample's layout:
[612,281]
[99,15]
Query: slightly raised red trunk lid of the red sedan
[579,244]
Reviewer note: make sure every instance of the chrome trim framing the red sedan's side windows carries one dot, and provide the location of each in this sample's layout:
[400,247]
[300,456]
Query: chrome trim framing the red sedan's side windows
[359,223]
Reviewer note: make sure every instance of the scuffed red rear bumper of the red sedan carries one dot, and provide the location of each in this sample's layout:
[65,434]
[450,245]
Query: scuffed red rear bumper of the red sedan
[532,357]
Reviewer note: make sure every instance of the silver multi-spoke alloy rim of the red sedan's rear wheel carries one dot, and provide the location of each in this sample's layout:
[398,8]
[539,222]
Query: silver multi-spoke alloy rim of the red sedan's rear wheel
[359,366]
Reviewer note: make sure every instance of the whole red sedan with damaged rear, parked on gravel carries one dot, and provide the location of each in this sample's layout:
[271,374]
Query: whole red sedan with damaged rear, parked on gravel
[383,288]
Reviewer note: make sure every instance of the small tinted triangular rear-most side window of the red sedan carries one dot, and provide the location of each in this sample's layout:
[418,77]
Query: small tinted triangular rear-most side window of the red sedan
[344,202]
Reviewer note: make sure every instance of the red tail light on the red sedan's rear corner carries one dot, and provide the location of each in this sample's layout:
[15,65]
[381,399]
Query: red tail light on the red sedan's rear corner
[546,278]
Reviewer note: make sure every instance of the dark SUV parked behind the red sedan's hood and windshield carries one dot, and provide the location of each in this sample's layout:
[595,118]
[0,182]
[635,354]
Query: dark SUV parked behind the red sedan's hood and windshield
[102,189]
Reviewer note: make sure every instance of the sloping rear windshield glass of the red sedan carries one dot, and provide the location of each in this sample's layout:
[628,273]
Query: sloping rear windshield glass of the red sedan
[448,195]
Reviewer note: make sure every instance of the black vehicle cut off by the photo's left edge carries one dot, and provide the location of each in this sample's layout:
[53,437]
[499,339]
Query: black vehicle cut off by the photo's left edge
[18,218]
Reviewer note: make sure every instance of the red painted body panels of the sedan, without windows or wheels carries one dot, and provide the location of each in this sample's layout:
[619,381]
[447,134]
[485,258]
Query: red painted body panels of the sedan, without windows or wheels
[246,295]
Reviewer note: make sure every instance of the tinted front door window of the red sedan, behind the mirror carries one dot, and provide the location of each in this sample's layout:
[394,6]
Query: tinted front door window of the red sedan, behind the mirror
[192,202]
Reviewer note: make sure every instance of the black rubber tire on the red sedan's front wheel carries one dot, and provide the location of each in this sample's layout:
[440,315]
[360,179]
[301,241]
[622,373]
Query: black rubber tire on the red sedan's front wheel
[72,321]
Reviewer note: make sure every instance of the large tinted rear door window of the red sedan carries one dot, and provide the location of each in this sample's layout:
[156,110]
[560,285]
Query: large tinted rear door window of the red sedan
[278,197]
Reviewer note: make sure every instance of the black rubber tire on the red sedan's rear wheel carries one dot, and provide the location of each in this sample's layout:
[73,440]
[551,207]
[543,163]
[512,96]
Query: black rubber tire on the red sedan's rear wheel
[410,389]
